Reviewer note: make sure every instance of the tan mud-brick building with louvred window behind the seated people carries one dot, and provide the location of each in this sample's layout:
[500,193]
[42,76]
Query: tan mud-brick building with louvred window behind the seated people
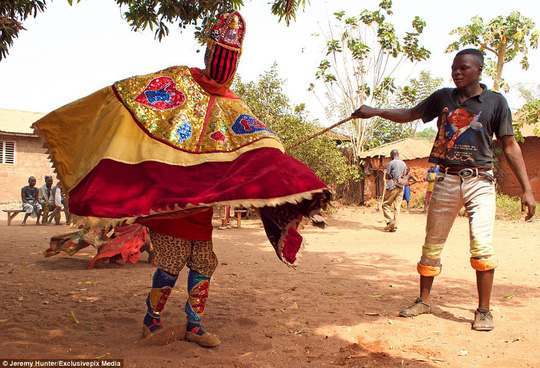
[21,153]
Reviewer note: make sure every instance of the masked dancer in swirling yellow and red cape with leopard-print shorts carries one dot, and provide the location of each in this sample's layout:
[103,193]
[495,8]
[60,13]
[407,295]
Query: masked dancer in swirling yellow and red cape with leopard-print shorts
[163,150]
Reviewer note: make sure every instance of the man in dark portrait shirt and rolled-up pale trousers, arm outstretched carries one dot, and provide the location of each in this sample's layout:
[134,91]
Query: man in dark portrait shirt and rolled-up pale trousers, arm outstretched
[468,116]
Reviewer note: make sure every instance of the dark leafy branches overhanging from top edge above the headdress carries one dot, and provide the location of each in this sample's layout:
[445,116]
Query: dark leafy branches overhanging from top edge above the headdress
[153,14]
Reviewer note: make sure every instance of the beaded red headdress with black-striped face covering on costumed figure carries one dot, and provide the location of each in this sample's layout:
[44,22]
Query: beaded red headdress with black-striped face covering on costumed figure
[225,47]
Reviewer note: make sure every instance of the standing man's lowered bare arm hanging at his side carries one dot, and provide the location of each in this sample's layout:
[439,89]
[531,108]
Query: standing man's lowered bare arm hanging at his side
[515,159]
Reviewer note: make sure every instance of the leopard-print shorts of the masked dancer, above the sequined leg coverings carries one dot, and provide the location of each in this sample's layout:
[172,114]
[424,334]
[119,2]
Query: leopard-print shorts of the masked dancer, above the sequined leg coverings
[172,254]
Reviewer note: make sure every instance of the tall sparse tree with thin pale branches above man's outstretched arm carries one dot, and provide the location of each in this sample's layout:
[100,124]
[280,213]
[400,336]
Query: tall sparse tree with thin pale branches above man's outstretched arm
[362,56]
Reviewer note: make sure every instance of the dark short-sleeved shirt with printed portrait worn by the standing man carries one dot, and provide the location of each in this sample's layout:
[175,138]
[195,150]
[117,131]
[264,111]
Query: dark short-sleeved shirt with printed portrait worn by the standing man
[465,130]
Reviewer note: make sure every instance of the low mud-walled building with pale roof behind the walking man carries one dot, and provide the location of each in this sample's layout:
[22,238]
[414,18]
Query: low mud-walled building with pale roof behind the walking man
[413,151]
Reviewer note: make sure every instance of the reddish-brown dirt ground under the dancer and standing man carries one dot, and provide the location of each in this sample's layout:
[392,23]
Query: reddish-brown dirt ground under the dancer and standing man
[338,308]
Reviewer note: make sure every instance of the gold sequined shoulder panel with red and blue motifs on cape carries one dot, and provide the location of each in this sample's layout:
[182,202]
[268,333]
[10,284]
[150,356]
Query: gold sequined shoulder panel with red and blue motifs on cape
[171,107]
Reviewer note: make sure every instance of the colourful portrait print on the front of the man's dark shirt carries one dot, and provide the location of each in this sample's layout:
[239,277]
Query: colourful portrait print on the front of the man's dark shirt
[458,137]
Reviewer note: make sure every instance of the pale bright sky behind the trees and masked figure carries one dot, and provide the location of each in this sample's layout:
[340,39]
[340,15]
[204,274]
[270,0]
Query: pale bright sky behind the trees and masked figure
[69,52]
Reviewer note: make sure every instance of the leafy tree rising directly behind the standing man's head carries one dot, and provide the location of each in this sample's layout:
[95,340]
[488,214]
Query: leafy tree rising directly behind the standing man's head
[504,37]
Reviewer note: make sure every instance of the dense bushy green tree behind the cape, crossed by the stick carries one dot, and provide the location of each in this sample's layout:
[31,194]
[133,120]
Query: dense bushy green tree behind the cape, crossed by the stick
[269,103]
